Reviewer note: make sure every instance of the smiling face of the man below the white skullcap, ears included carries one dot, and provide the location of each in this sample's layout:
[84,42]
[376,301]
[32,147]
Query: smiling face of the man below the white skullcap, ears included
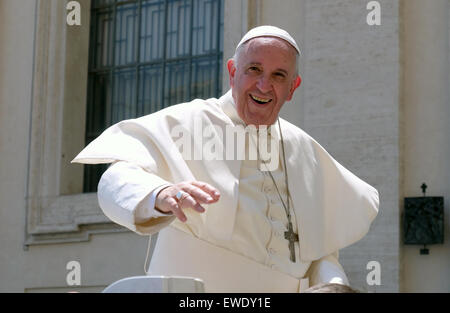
[263,79]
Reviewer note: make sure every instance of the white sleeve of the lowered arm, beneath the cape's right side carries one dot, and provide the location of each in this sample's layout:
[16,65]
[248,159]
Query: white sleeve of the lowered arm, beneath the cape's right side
[327,270]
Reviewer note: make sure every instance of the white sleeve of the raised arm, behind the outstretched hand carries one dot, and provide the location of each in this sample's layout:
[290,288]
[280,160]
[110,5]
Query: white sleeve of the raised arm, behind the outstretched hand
[126,194]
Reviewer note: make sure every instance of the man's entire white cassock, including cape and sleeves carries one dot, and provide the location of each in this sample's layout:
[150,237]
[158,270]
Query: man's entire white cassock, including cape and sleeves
[238,244]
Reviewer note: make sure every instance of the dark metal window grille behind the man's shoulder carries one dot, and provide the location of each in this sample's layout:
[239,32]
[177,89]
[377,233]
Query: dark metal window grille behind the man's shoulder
[146,55]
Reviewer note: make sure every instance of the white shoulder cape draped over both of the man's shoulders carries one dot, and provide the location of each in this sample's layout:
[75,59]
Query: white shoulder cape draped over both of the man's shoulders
[333,207]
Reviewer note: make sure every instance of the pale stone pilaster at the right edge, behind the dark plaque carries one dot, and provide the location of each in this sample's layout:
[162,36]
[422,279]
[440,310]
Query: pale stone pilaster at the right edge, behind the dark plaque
[425,120]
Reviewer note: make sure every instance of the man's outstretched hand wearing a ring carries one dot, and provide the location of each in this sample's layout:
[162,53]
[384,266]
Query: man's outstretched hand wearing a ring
[184,195]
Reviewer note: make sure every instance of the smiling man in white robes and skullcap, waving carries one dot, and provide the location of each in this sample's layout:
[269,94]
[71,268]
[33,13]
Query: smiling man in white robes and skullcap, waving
[234,222]
